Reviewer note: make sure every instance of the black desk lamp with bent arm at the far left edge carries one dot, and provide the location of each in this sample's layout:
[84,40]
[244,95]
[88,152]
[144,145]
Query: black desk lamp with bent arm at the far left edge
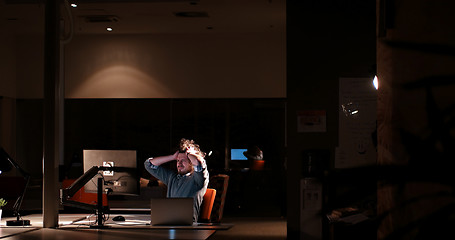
[6,164]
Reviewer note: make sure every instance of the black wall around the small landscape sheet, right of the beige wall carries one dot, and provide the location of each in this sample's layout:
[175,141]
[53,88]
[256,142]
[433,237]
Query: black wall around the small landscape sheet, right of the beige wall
[326,40]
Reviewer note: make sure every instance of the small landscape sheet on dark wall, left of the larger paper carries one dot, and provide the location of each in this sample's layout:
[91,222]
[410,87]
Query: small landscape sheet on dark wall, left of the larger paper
[311,121]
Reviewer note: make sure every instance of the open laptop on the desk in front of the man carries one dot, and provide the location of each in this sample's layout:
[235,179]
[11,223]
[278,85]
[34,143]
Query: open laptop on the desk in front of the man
[171,211]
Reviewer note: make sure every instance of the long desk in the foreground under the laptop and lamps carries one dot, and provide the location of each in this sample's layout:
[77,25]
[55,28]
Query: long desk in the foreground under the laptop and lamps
[134,227]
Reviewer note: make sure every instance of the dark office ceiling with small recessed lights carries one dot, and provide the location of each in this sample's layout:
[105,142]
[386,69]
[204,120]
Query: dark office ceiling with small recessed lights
[150,16]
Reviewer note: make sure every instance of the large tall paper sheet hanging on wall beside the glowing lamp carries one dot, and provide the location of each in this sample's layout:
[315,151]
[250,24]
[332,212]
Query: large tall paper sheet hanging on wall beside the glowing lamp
[357,123]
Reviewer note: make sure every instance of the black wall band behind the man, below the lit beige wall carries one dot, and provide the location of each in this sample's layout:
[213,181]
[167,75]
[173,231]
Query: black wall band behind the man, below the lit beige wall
[154,126]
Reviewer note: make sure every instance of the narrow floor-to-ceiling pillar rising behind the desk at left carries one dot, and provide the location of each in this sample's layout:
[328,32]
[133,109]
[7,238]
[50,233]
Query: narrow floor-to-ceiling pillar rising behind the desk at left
[51,114]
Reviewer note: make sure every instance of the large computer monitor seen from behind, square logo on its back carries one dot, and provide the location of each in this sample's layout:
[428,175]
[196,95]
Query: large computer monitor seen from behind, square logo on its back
[125,182]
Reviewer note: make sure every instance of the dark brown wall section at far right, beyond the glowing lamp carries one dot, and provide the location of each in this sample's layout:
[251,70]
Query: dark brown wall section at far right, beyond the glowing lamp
[416,72]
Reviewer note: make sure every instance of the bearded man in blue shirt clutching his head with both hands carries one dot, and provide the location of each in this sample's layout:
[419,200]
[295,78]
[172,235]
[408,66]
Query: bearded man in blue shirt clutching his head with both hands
[192,177]
